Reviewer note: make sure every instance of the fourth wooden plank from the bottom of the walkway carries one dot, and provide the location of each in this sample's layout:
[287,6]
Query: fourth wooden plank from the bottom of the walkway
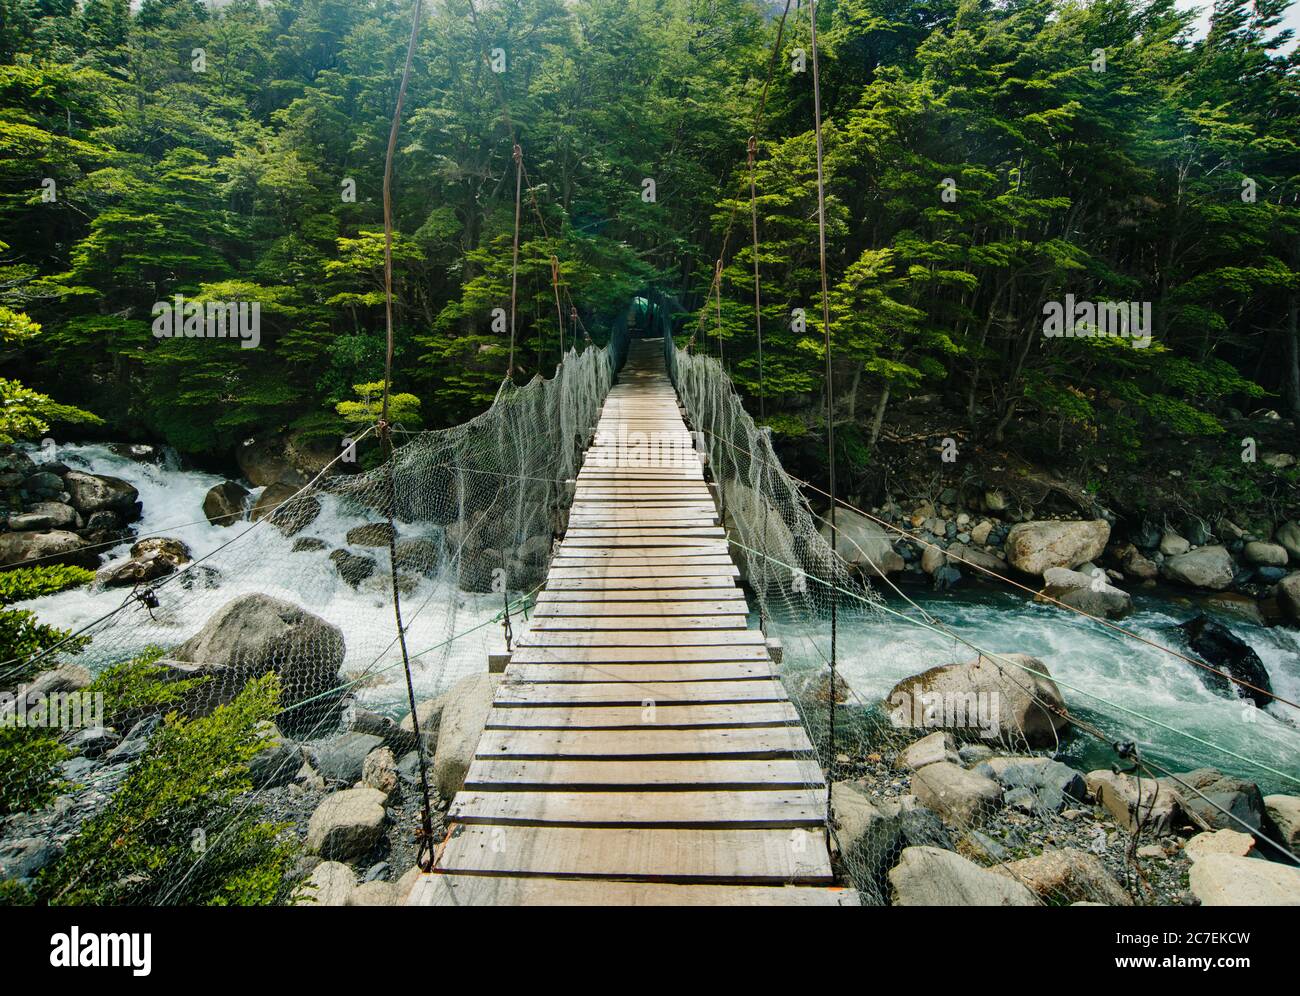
[506,774]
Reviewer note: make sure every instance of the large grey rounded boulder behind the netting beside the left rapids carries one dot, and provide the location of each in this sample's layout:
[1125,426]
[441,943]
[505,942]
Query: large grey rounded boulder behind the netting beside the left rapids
[254,635]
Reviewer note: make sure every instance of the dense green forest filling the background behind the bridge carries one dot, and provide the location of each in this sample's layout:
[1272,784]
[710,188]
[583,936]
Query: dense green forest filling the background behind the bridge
[982,161]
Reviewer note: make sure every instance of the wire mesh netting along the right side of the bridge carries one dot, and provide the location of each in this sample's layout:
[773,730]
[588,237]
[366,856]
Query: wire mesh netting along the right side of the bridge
[951,787]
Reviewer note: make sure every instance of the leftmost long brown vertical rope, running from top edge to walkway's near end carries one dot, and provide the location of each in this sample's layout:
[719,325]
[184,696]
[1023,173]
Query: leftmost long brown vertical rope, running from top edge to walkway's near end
[424,845]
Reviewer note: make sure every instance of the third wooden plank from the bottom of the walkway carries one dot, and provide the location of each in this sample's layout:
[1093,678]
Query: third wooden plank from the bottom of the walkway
[718,811]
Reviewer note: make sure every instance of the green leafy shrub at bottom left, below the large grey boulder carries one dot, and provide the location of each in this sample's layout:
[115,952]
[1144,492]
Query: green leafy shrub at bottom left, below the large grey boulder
[177,830]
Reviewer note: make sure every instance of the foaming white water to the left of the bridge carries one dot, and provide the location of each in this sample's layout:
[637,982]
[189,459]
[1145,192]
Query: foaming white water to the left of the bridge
[266,562]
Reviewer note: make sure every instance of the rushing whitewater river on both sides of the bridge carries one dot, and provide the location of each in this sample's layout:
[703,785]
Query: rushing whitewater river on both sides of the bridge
[1132,691]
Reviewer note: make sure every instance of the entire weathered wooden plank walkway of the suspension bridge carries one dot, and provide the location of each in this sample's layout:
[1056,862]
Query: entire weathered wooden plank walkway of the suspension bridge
[642,750]
